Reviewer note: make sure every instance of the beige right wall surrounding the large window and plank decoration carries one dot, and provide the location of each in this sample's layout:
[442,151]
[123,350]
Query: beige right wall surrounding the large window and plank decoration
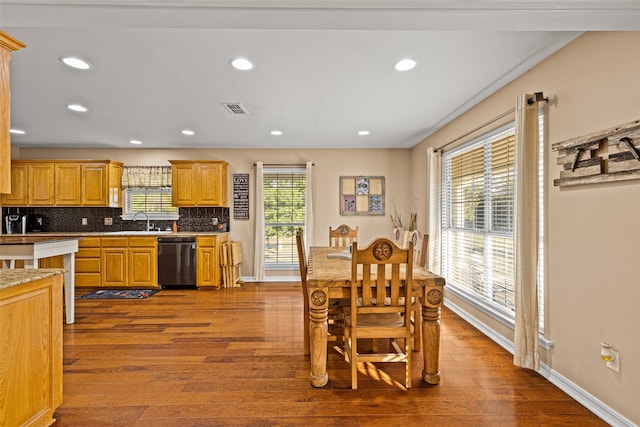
[592,233]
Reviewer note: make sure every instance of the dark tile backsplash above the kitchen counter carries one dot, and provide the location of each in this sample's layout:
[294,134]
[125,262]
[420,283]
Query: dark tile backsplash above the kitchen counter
[63,219]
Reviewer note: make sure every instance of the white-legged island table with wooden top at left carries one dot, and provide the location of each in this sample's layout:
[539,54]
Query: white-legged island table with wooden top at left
[31,248]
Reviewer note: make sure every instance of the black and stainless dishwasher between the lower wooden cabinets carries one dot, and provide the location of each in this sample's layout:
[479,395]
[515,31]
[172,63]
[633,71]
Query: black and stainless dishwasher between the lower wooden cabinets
[177,261]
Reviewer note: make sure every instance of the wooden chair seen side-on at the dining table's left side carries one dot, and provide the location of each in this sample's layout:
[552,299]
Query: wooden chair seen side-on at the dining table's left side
[335,313]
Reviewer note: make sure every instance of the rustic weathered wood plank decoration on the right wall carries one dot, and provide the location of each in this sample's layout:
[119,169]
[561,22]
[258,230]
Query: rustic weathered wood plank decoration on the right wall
[609,155]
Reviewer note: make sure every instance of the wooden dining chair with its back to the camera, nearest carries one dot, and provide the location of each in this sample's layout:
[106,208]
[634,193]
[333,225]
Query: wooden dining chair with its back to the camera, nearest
[380,304]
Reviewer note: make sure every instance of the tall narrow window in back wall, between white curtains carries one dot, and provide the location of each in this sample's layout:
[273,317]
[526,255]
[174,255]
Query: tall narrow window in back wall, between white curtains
[284,212]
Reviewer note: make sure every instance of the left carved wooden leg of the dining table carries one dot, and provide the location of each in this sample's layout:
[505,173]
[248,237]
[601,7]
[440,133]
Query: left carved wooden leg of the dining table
[318,328]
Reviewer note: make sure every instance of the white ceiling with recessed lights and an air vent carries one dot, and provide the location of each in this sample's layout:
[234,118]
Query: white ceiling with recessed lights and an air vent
[324,68]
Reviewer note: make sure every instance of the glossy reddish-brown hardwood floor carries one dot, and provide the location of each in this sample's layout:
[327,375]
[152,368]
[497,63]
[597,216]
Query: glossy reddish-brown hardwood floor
[233,357]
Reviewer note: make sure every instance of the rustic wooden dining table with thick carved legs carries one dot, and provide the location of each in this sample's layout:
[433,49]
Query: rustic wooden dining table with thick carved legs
[329,277]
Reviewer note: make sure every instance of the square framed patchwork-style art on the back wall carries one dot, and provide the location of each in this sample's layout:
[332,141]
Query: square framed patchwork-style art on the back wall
[361,195]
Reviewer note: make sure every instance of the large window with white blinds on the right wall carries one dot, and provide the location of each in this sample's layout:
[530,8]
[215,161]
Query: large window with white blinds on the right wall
[477,229]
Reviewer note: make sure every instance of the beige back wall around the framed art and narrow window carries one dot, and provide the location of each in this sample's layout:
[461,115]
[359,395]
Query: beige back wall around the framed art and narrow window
[329,165]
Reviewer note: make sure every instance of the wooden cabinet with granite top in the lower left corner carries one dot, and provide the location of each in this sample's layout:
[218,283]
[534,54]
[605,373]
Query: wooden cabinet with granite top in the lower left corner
[30,346]
